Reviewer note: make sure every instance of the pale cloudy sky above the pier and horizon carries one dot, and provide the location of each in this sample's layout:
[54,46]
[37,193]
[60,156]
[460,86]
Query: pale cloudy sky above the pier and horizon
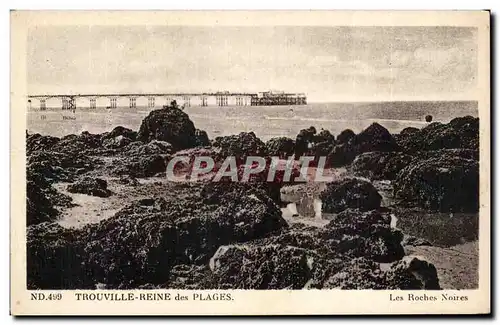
[326,63]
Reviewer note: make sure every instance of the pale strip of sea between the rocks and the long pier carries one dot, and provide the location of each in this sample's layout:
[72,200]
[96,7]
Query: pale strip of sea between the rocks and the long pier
[265,121]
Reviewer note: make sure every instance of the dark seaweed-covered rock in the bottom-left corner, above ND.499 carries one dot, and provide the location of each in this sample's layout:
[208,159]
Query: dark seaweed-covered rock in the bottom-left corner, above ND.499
[55,259]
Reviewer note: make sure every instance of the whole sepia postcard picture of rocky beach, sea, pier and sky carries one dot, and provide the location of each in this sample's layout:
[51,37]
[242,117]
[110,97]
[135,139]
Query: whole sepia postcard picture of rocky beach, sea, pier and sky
[264,157]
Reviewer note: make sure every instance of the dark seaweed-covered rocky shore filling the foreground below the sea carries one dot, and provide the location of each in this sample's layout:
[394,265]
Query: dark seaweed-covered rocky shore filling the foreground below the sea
[207,235]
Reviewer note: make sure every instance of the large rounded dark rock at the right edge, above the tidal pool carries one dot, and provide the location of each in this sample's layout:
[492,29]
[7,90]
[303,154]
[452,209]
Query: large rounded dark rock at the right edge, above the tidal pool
[444,184]
